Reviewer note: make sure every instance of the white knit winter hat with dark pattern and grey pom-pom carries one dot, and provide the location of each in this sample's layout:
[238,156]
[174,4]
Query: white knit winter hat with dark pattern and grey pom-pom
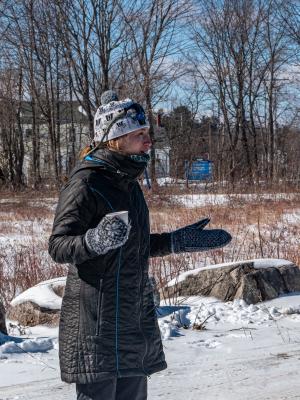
[116,118]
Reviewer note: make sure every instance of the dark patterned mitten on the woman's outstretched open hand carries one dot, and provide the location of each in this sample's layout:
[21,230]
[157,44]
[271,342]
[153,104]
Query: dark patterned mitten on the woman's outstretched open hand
[195,238]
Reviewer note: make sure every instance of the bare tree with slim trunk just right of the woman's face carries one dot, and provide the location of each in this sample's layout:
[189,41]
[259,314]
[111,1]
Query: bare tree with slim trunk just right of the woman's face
[151,29]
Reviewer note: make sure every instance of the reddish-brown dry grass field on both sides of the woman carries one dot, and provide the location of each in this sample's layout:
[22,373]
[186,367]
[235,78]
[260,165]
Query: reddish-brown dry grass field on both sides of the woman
[259,228]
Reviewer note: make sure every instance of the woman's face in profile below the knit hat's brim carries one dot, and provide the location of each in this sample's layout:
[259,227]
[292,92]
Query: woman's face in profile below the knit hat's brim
[137,142]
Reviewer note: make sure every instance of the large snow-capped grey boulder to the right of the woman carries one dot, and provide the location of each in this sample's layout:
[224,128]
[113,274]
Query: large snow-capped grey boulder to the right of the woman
[237,281]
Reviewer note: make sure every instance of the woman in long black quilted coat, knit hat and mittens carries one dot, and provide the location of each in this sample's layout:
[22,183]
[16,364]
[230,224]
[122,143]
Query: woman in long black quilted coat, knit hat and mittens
[109,340]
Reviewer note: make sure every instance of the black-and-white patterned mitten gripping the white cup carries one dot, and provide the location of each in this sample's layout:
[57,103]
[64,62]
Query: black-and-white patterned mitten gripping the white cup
[109,234]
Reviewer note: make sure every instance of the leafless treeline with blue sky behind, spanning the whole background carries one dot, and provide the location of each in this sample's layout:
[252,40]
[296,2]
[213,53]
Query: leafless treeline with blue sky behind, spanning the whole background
[234,61]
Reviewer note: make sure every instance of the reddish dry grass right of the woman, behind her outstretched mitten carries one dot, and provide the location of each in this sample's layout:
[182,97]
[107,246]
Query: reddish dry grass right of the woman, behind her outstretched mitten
[260,229]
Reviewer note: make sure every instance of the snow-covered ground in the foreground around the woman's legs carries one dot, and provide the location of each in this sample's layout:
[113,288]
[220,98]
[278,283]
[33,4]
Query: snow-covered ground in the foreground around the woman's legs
[244,352]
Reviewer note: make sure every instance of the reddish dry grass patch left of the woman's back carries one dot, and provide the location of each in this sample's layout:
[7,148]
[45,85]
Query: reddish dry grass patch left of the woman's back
[25,224]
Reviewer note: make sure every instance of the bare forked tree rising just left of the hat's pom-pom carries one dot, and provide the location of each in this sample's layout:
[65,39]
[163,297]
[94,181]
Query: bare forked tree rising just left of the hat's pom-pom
[91,34]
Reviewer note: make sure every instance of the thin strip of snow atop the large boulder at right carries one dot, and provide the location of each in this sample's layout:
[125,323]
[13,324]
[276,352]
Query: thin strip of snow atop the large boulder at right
[257,263]
